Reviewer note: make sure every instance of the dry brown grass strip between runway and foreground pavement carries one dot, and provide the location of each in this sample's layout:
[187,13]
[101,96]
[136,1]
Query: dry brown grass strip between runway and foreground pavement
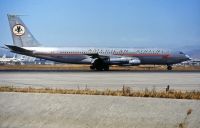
[125,91]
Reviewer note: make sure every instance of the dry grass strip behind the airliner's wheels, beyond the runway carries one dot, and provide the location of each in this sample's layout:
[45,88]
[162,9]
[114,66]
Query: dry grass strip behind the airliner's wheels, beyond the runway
[61,67]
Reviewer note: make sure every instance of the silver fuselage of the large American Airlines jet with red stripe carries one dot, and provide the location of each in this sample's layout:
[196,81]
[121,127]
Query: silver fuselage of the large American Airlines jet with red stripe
[81,55]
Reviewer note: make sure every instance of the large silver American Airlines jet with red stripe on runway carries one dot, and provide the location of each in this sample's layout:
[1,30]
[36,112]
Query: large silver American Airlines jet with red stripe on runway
[99,58]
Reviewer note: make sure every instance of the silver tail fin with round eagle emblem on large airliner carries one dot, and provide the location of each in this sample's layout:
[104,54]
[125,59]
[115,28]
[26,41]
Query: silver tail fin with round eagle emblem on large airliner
[22,37]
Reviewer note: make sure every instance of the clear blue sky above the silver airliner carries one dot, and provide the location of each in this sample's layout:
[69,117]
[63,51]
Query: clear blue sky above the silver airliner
[107,23]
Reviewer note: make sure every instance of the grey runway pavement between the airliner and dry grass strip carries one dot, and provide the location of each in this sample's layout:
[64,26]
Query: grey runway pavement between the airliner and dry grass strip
[103,80]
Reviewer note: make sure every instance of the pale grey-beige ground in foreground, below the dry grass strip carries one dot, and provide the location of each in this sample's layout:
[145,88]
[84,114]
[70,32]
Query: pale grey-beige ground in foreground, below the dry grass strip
[28,110]
